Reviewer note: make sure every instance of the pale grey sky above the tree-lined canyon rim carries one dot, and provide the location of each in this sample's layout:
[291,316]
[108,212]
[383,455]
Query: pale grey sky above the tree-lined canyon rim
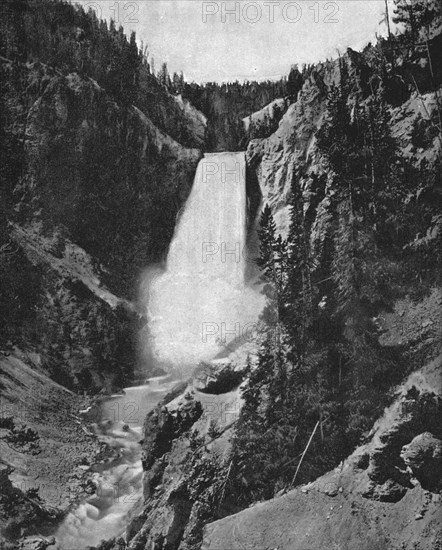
[244,40]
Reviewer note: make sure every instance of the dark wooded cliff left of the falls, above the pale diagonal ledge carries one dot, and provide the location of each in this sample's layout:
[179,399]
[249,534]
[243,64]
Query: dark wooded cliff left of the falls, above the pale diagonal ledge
[94,167]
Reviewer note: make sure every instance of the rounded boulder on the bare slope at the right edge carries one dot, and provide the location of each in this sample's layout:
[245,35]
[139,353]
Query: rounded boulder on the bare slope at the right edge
[423,456]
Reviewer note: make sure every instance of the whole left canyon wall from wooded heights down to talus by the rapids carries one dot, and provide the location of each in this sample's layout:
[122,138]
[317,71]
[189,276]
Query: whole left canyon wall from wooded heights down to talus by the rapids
[90,191]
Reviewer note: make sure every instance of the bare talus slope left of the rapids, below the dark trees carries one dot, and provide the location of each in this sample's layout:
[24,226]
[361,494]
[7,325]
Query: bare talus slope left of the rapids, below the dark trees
[45,449]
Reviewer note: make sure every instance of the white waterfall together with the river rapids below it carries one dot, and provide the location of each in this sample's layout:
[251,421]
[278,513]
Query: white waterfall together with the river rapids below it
[196,307]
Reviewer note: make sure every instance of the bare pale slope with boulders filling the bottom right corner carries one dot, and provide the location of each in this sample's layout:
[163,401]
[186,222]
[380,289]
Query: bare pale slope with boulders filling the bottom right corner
[375,499]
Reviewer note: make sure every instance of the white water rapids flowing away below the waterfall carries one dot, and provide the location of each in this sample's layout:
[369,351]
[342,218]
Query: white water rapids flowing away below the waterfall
[118,495]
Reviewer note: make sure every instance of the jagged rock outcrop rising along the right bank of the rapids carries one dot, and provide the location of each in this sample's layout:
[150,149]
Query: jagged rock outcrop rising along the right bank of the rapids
[186,444]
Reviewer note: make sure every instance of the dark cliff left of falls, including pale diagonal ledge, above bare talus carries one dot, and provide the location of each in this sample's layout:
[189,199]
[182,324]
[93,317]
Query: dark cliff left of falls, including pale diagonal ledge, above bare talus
[95,202]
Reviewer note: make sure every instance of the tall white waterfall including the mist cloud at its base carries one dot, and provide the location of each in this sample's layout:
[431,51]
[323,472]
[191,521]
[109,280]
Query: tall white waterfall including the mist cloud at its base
[202,300]
